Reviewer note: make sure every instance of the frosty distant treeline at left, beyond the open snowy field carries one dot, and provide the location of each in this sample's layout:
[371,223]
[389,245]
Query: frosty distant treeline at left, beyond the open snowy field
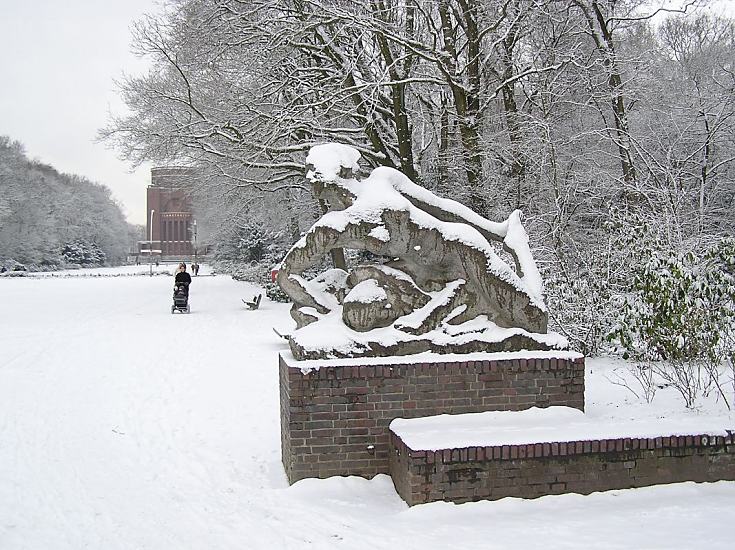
[50,220]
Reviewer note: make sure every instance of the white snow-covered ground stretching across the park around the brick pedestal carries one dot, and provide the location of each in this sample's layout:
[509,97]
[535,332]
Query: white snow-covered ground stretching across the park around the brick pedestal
[125,427]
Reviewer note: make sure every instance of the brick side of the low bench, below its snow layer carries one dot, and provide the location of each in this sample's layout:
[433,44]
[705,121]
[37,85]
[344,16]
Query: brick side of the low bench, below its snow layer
[528,471]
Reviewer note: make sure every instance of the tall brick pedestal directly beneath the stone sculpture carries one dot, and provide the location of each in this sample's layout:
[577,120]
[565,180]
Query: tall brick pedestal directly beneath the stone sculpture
[334,421]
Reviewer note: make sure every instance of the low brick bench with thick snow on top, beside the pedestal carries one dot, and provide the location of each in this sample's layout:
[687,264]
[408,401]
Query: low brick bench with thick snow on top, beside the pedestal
[536,452]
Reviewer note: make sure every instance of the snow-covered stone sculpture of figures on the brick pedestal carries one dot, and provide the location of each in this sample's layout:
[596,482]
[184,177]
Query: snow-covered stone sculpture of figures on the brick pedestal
[445,288]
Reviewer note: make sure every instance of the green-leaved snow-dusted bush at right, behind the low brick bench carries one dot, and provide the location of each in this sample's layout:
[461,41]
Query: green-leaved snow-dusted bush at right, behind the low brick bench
[677,324]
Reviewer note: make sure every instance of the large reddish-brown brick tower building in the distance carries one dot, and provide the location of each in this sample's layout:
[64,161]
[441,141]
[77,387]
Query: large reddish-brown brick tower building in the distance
[170,227]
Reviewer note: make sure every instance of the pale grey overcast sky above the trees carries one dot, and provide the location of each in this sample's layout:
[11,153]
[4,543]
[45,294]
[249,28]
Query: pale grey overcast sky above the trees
[57,64]
